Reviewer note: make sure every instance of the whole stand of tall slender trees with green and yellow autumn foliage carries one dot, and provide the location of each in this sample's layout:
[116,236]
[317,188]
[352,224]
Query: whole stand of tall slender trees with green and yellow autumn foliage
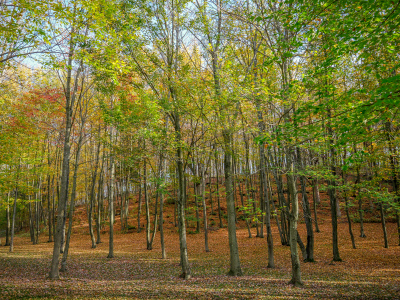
[248,104]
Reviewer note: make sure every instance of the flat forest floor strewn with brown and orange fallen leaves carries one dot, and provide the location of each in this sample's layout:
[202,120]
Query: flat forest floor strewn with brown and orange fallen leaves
[368,272]
